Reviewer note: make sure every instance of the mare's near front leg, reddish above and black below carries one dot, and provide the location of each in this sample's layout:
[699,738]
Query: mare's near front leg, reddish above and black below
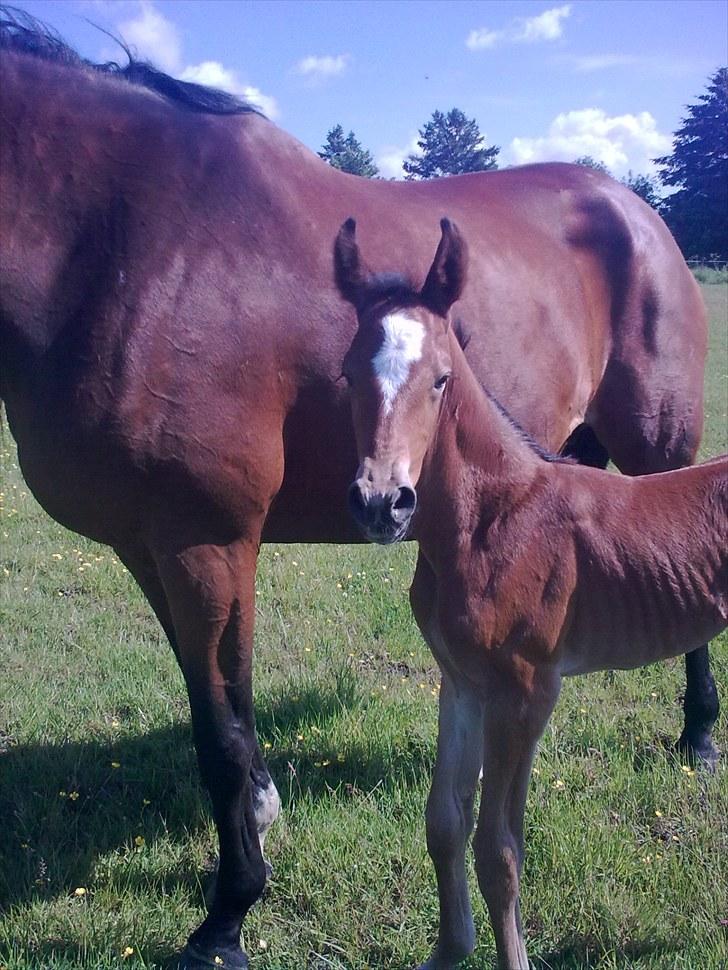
[210,590]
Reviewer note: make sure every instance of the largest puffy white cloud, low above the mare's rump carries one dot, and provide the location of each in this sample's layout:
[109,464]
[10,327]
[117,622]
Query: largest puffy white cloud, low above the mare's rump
[622,142]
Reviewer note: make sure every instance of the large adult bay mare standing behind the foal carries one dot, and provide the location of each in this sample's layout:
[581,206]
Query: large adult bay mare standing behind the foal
[171,340]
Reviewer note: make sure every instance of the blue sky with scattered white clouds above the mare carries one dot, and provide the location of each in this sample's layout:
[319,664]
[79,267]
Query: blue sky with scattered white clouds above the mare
[608,78]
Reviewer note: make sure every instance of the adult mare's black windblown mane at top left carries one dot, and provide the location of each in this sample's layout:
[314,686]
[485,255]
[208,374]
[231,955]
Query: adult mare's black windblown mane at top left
[21,33]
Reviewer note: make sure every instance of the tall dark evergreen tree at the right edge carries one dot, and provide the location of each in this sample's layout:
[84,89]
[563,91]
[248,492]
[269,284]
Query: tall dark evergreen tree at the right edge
[697,212]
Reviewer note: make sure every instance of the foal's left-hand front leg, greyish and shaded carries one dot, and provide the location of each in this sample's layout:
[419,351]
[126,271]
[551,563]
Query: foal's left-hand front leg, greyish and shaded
[450,818]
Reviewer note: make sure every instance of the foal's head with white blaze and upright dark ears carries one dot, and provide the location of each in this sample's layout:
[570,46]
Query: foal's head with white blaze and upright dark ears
[397,369]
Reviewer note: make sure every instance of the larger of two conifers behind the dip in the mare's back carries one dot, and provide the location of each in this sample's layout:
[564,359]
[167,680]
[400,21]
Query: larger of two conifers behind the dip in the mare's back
[451,144]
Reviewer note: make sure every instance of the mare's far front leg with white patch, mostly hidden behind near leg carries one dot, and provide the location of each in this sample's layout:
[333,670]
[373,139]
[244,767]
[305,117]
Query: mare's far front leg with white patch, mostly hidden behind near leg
[266,801]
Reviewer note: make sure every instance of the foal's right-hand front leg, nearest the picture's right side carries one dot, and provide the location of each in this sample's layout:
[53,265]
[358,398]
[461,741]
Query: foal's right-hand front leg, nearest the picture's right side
[514,721]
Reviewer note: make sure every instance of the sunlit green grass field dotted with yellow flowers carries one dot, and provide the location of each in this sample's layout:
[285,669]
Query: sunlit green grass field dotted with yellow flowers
[105,832]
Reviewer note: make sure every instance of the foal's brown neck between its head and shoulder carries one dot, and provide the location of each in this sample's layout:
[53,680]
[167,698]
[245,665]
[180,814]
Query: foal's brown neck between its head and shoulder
[477,466]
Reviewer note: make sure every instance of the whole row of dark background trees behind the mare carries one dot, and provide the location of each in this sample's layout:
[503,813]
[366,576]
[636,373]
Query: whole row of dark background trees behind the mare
[690,190]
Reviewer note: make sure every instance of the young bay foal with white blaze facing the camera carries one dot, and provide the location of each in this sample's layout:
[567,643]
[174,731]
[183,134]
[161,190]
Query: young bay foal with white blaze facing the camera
[530,568]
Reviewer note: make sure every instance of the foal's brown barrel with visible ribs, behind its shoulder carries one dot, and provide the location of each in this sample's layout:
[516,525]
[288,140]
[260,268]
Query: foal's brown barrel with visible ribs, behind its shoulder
[649,565]
